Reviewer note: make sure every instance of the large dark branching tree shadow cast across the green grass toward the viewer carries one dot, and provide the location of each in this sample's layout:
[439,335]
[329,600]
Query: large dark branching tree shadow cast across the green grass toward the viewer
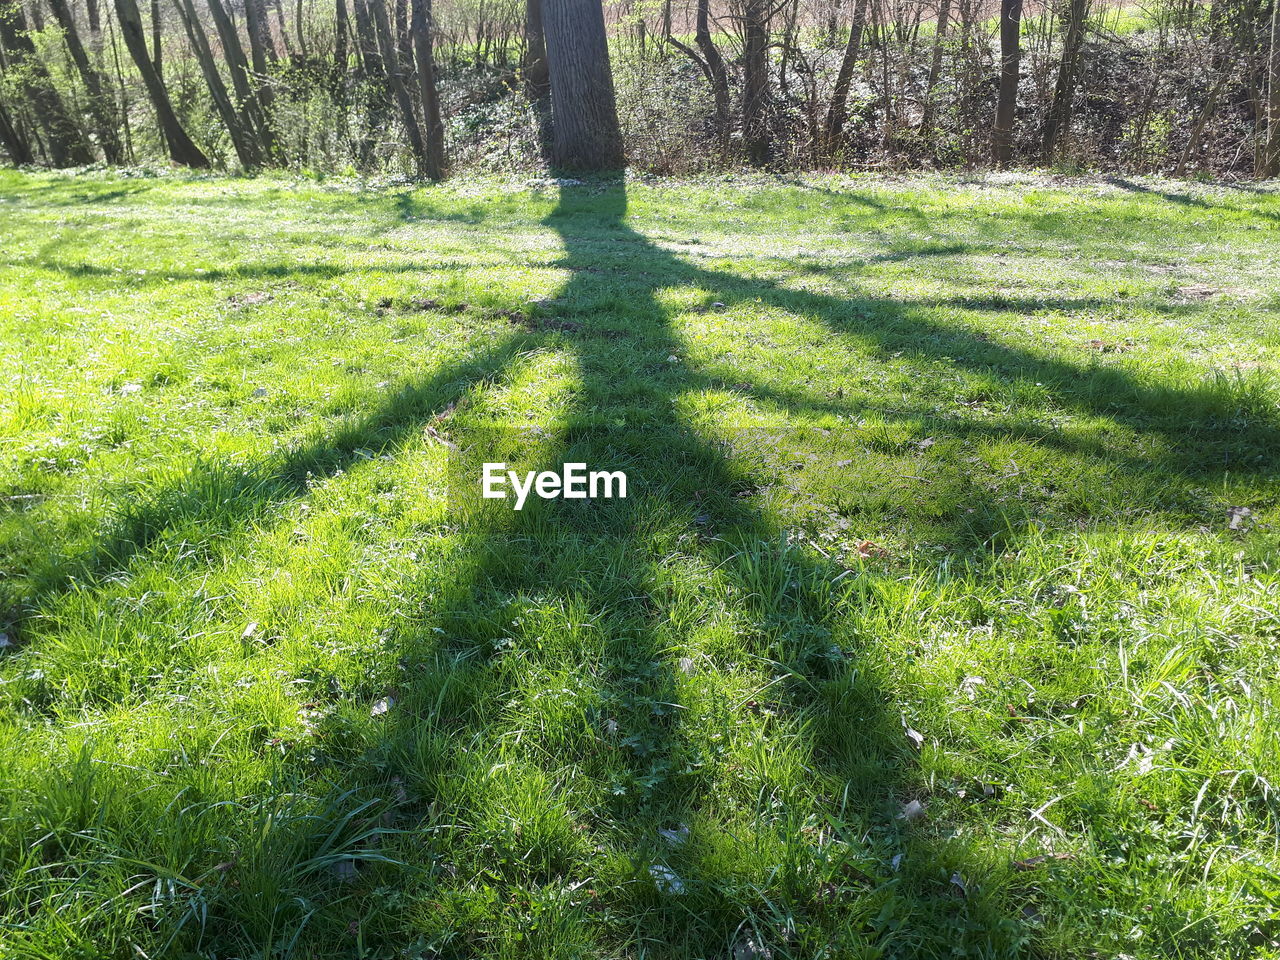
[644,751]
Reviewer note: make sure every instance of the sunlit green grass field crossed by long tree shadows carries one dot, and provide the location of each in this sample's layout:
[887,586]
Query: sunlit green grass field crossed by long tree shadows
[941,619]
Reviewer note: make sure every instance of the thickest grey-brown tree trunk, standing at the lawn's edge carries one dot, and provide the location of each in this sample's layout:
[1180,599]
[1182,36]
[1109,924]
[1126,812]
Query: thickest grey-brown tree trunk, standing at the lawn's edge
[584,112]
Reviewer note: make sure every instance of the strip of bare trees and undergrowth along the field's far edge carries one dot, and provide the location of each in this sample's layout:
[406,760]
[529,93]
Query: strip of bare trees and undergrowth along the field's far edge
[670,86]
